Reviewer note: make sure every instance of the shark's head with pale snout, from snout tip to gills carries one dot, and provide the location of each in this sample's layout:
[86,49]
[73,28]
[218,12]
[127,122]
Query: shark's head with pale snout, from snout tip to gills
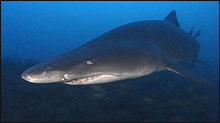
[89,65]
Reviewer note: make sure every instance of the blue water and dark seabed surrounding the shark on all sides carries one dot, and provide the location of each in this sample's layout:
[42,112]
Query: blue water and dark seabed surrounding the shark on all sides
[35,31]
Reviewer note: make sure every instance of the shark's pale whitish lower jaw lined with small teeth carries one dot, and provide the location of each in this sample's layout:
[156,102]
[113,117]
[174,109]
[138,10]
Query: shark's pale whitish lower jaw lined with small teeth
[95,79]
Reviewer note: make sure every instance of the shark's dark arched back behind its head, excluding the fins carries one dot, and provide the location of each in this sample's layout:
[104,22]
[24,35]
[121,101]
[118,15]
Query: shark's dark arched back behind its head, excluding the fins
[172,40]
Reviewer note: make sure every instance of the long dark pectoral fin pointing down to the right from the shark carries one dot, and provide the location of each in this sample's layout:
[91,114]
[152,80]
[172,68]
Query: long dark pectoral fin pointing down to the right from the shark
[187,73]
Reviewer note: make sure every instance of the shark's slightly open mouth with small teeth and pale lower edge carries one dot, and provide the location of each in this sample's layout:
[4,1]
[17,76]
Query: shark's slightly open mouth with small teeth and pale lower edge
[89,79]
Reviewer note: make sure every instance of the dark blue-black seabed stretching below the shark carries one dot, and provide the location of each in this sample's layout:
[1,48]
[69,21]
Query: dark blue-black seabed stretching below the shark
[162,96]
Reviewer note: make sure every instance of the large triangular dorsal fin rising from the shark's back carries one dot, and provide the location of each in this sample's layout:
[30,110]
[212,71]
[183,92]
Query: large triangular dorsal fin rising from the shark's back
[171,17]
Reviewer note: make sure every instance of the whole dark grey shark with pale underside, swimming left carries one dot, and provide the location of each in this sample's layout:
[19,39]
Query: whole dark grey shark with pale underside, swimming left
[129,51]
